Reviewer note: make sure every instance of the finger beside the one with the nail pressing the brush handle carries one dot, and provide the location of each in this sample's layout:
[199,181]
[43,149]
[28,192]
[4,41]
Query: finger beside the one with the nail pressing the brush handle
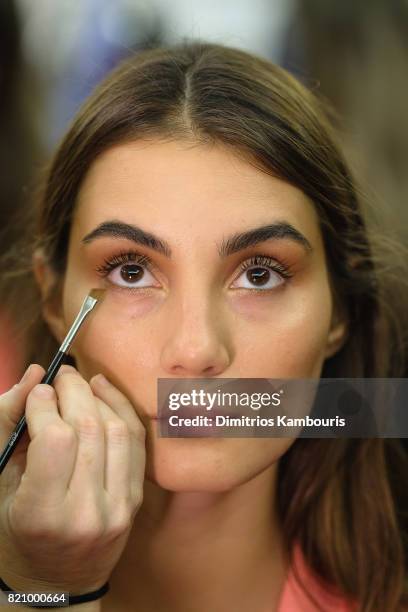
[77,407]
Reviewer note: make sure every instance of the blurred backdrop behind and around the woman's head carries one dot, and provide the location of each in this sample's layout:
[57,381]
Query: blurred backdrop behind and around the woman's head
[53,52]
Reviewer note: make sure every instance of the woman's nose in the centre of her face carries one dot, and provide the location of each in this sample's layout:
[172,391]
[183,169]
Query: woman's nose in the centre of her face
[198,345]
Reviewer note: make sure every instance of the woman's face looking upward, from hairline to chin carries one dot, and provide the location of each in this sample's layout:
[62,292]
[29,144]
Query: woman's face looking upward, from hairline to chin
[193,311]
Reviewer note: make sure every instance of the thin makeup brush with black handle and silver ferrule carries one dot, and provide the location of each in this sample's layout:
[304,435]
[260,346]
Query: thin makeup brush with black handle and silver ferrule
[88,304]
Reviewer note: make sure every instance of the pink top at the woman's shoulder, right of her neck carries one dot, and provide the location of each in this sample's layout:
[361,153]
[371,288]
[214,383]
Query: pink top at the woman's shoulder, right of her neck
[294,599]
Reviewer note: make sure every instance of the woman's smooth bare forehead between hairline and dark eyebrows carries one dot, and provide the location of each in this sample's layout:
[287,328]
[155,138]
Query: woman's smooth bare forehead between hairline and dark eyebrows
[180,186]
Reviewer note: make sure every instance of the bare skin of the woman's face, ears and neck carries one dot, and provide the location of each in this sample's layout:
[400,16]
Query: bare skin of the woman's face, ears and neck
[196,317]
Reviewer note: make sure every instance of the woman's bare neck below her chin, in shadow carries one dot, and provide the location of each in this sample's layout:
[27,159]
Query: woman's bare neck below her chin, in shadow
[204,550]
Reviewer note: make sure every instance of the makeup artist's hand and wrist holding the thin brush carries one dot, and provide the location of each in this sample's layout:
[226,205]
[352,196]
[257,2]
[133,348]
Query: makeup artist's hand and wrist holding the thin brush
[72,487]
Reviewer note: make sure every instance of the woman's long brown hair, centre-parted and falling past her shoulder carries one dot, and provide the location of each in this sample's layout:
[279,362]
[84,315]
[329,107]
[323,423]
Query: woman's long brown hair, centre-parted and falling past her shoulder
[344,510]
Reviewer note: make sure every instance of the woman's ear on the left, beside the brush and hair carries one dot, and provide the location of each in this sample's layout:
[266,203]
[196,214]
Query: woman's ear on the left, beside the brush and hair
[51,298]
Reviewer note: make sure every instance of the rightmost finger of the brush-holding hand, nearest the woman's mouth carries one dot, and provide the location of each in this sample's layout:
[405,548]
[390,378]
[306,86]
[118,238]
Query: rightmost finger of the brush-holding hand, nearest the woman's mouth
[121,448]
